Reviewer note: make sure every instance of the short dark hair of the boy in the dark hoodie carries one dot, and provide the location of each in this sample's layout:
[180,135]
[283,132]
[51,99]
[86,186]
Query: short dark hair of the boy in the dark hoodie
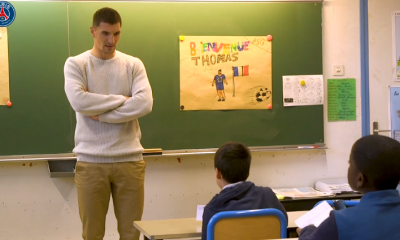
[233,160]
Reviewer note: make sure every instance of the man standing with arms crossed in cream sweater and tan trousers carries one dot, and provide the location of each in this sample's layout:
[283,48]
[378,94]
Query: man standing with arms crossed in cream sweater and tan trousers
[109,91]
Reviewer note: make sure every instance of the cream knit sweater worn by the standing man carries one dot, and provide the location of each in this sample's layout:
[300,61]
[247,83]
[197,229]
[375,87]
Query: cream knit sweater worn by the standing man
[97,87]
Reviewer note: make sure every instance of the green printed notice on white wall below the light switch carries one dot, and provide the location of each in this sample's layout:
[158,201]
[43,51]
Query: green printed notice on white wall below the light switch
[342,99]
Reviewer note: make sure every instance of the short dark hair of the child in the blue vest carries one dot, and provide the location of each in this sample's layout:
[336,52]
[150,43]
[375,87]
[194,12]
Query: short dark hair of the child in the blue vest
[378,158]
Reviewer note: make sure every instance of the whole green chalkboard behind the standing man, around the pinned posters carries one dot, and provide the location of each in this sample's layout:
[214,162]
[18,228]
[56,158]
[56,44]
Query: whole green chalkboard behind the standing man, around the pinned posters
[41,120]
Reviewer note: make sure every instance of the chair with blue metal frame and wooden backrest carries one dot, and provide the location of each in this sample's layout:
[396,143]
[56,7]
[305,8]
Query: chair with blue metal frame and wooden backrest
[267,223]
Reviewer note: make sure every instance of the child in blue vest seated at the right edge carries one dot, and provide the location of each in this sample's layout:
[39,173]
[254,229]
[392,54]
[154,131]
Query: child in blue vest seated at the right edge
[374,170]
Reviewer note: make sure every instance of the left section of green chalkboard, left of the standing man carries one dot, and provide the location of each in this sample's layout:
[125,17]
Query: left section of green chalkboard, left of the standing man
[39,122]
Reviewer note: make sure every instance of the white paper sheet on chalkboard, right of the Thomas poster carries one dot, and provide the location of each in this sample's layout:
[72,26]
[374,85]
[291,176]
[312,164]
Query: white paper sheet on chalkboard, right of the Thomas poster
[303,90]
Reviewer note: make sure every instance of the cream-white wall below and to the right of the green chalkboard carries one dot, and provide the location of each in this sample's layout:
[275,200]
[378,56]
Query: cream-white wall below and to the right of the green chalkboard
[36,207]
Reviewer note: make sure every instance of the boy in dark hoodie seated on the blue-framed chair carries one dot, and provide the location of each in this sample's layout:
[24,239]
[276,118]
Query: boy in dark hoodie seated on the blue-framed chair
[232,167]
